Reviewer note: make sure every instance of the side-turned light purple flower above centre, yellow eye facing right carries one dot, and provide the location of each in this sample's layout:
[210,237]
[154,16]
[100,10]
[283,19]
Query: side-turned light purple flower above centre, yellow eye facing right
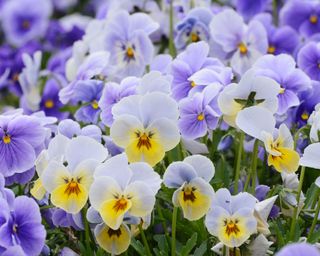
[194,58]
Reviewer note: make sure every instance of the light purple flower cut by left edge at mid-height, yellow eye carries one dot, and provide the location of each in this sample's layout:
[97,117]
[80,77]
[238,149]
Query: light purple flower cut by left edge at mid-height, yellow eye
[21,138]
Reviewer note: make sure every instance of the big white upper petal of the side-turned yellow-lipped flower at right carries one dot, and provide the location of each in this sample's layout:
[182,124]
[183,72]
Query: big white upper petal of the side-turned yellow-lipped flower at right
[254,120]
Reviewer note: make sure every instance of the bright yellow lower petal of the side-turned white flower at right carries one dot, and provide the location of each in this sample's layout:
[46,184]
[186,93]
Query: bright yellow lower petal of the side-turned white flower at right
[288,160]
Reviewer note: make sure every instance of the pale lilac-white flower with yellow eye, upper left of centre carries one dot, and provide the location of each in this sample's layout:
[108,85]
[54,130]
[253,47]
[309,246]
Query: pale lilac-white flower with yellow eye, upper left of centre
[127,39]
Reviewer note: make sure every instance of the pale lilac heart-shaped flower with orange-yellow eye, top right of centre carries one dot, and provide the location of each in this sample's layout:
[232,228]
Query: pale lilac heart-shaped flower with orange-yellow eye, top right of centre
[243,44]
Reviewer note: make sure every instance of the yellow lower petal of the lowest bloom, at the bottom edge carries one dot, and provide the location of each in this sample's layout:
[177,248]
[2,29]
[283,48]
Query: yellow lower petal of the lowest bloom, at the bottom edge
[114,241]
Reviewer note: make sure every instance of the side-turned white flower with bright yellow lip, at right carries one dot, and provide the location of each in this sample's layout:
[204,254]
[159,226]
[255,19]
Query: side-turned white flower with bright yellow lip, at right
[259,123]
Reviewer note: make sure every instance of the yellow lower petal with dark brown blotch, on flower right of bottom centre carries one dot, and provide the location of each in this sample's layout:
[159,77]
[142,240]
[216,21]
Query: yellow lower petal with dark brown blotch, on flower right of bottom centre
[194,204]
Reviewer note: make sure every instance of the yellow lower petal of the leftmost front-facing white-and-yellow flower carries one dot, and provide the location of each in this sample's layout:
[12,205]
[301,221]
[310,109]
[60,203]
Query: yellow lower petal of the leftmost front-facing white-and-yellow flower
[71,202]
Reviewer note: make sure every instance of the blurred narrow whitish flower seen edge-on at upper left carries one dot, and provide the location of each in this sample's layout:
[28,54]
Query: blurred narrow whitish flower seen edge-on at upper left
[29,80]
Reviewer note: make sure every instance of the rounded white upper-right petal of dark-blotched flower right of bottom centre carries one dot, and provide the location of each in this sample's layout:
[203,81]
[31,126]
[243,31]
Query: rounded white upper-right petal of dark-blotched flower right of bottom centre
[202,165]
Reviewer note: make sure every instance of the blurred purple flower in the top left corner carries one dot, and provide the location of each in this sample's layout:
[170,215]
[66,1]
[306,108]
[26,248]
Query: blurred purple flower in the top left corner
[22,23]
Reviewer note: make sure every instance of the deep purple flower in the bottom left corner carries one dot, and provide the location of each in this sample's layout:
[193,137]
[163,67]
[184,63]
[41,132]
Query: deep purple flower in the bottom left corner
[20,225]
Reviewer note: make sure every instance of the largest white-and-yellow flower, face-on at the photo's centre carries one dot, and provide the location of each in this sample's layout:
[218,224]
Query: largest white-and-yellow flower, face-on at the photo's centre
[146,126]
